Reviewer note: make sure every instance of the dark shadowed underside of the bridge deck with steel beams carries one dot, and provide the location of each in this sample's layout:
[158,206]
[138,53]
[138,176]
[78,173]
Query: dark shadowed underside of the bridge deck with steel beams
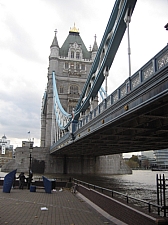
[141,130]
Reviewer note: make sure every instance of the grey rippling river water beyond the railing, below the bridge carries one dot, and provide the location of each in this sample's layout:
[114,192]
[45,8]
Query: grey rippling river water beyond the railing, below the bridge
[140,184]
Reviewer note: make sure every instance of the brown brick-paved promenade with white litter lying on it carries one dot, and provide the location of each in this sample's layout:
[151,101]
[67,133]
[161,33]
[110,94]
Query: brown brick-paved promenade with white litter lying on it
[22,207]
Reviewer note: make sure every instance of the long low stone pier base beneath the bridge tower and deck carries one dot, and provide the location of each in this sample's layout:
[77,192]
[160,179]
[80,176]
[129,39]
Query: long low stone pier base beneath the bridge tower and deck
[44,163]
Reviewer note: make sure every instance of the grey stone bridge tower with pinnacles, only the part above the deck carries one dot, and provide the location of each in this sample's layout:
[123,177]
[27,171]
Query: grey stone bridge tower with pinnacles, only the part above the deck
[71,63]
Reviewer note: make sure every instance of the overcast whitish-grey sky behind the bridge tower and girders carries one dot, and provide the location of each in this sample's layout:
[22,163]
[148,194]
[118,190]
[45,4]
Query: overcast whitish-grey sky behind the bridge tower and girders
[26,33]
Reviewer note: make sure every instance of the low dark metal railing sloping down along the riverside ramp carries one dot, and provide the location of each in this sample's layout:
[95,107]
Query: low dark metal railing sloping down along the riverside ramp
[129,199]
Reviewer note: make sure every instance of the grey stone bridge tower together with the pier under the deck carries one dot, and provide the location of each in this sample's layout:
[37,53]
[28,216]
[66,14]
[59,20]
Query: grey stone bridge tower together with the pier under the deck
[72,63]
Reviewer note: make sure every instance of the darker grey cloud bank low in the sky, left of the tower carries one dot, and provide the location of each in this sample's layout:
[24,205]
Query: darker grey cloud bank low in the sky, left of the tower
[21,113]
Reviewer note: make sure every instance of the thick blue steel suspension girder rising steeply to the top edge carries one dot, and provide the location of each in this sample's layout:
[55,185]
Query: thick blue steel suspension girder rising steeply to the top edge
[109,45]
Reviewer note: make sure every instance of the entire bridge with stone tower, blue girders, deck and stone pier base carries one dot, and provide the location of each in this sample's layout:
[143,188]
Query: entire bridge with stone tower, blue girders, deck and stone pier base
[80,135]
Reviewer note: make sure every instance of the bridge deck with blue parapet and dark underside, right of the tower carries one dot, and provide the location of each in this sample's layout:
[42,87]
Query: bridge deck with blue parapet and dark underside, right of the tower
[133,118]
